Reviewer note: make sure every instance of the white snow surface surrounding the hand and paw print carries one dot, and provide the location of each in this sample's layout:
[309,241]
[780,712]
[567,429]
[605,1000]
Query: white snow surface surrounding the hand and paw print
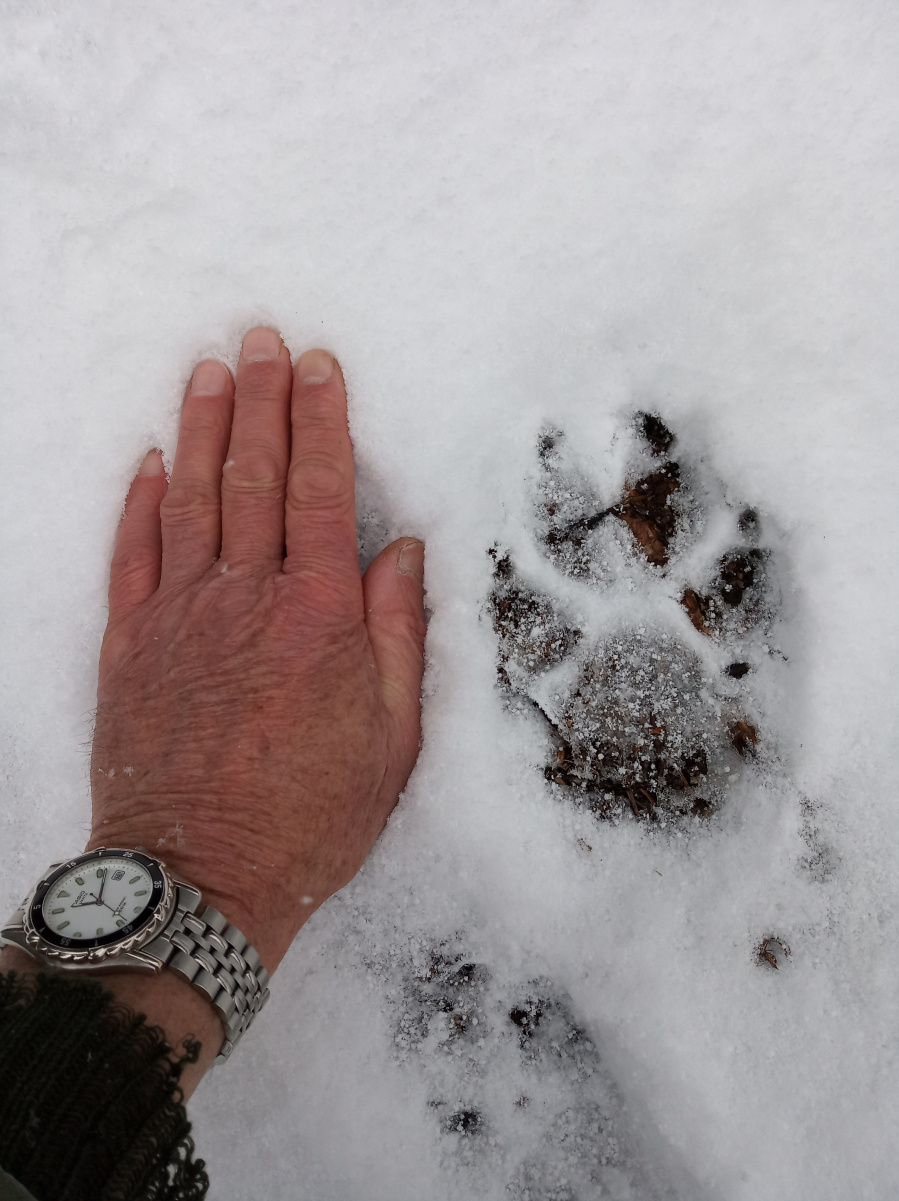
[501,217]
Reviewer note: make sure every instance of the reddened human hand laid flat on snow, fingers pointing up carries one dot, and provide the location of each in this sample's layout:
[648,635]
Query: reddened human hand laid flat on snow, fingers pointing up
[259,707]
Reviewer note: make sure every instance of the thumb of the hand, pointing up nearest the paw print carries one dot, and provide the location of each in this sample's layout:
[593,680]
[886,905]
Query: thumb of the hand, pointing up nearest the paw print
[395,619]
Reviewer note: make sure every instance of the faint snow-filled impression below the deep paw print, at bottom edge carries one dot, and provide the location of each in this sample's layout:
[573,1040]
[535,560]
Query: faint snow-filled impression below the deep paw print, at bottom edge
[519,1090]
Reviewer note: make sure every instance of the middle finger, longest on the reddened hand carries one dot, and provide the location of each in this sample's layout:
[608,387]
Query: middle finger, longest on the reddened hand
[256,468]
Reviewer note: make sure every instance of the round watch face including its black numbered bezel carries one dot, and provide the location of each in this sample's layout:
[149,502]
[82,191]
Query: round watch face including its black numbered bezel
[98,900]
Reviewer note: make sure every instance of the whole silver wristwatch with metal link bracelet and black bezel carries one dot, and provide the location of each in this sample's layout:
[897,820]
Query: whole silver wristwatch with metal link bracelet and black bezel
[115,909]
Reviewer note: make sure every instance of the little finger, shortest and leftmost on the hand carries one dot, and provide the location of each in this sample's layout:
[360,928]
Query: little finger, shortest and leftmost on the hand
[135,570]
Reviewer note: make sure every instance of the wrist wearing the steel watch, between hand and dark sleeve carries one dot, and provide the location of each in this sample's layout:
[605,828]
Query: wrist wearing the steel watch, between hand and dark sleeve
[163,946]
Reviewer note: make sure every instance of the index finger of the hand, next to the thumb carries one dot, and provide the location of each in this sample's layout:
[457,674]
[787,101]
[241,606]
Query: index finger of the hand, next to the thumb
[320,512]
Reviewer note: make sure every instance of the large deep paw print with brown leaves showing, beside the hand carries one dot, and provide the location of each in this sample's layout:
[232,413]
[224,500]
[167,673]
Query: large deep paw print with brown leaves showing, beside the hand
[651,715]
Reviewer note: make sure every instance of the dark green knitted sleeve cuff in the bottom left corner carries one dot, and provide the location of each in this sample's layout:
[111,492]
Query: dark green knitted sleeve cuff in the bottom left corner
[91,1106]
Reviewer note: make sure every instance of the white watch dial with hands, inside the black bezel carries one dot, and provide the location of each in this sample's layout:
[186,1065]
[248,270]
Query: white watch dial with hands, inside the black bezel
[99,899]
